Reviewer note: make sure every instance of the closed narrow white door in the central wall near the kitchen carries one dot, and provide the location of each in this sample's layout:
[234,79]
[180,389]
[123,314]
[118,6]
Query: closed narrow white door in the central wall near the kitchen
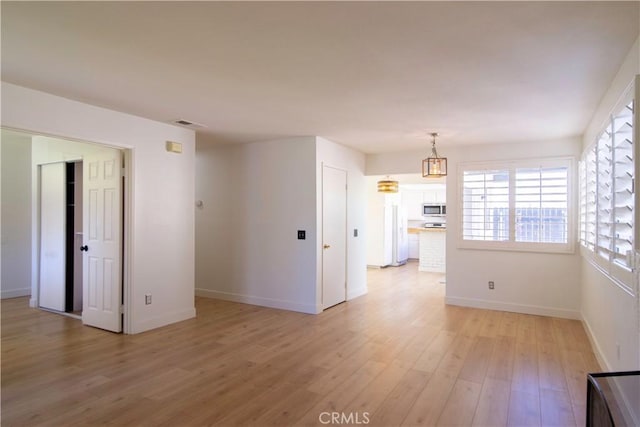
[334,236]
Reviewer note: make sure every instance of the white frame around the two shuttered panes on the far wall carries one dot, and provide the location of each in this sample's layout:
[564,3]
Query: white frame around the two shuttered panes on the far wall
[511,244]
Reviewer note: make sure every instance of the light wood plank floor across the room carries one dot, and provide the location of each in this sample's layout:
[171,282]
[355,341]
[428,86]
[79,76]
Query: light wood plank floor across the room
[397,356]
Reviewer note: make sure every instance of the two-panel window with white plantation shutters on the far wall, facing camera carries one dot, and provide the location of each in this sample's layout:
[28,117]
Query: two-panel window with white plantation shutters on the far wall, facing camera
[517,205]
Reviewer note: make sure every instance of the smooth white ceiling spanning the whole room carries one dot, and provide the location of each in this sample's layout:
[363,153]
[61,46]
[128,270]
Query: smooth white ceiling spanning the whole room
[377,76]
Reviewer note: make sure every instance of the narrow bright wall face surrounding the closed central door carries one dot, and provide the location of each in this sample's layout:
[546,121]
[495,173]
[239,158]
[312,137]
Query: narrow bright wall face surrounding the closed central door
[336,155]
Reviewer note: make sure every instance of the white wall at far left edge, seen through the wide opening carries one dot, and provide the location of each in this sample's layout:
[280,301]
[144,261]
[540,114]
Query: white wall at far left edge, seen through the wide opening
[16,215]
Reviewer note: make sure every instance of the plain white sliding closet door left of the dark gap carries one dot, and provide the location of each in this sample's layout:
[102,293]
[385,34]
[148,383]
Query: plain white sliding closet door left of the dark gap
[52,236]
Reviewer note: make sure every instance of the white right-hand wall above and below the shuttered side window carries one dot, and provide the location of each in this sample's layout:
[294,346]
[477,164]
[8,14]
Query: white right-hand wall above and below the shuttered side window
[611,314]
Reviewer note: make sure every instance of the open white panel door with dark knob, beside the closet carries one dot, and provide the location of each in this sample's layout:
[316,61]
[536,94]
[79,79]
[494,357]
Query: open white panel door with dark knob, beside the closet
[102,236]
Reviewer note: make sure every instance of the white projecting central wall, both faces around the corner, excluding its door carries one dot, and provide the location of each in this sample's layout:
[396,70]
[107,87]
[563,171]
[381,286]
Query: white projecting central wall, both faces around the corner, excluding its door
[255,198]
